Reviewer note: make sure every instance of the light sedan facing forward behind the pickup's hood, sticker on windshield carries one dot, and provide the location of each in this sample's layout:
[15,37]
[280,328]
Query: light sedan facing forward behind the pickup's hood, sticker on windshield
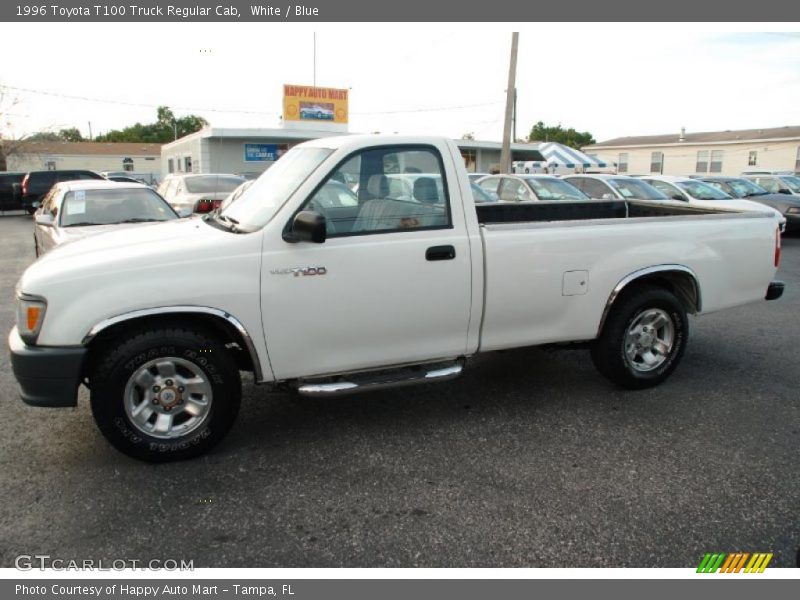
[74,210]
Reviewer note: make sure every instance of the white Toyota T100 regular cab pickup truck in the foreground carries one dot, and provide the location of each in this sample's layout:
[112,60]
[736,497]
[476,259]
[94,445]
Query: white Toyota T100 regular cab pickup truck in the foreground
[312,286]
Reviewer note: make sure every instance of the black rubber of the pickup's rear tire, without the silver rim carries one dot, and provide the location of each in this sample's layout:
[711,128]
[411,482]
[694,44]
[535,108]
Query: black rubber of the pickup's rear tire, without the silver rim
[609,350]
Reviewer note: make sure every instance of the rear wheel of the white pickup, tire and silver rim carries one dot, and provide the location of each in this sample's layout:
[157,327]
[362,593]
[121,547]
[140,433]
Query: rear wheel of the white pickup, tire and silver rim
[643,338]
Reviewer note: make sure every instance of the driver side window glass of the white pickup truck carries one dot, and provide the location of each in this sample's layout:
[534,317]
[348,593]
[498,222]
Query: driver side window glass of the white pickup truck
[384,190]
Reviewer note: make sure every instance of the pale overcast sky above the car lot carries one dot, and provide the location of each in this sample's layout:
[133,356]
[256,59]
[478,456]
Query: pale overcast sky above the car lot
[448,79]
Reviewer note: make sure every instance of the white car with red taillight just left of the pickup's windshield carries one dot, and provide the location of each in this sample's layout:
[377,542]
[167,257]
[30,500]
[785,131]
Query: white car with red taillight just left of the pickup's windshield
[200,193]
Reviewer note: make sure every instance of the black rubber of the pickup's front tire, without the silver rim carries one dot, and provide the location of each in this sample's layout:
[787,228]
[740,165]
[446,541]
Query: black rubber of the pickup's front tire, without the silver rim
[121,359]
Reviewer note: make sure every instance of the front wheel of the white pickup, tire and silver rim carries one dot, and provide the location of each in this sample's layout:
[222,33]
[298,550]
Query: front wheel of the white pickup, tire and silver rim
[165,394]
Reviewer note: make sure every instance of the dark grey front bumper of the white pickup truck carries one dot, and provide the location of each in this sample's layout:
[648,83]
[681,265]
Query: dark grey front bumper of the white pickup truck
[47,376]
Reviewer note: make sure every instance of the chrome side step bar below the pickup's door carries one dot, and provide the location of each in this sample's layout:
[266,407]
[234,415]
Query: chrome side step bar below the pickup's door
[367,382]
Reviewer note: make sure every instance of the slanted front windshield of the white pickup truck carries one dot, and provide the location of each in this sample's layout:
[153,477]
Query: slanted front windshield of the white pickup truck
[262,200]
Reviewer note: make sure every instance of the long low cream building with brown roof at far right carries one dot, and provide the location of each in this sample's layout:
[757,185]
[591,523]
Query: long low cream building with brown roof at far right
[723,152]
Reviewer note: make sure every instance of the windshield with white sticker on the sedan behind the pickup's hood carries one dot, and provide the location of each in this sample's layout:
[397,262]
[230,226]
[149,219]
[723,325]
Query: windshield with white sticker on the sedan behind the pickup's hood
[107,206]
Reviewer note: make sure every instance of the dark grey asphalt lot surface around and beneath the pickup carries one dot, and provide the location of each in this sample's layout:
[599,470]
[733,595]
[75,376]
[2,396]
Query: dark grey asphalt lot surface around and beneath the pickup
[532,459]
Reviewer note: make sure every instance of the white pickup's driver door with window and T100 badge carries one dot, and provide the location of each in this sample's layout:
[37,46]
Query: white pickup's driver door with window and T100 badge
[391,284]
